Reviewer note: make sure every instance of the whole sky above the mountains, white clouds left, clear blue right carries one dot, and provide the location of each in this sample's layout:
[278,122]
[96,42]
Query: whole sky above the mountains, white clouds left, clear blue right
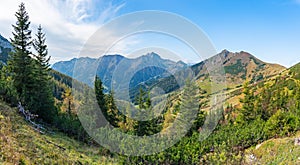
[268,29]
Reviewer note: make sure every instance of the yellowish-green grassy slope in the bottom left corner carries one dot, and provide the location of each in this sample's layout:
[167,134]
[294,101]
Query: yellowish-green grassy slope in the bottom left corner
[20,143]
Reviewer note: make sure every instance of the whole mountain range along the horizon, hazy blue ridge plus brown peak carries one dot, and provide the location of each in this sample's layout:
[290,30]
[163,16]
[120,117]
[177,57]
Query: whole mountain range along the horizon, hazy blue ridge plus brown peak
[238,67]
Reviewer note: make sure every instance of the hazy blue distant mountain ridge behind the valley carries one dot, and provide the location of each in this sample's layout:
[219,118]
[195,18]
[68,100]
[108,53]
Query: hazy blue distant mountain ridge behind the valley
[117,68]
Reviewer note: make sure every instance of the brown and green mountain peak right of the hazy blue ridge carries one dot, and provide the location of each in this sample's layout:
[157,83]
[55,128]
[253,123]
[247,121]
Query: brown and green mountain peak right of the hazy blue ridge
[238,67]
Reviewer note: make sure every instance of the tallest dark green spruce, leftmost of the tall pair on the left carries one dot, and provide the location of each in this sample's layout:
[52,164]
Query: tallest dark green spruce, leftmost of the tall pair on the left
[20,62]
